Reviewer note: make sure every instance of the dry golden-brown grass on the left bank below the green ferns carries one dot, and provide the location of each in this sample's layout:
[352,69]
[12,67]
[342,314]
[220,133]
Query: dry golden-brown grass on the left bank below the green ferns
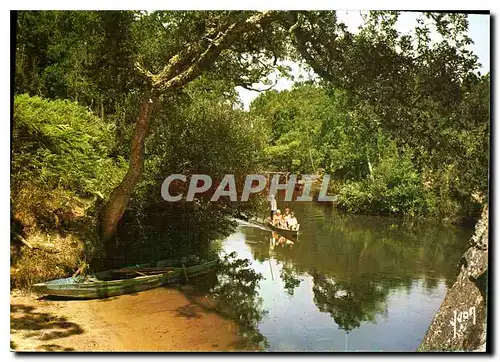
[60,227]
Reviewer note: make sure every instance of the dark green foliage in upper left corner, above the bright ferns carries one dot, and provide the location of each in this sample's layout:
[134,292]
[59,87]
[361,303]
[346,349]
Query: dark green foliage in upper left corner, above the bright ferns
[85,56]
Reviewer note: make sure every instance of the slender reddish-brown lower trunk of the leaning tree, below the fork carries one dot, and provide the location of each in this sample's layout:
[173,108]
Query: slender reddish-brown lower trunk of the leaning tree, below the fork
[119,198]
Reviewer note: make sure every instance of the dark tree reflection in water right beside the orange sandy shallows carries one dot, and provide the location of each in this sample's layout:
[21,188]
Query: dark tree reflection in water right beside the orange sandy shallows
[237,297]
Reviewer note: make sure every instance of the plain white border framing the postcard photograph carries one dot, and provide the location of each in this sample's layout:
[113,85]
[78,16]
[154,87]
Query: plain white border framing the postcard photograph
[188,4]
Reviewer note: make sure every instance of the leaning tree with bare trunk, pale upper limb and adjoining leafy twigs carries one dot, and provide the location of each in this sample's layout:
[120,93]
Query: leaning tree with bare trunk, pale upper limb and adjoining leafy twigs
[219,32]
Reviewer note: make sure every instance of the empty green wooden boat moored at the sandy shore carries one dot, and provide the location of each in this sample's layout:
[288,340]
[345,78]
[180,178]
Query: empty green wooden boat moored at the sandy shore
[120,281]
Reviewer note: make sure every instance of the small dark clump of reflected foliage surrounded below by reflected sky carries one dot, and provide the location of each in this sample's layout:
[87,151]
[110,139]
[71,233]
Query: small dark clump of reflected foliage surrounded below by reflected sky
[349,303]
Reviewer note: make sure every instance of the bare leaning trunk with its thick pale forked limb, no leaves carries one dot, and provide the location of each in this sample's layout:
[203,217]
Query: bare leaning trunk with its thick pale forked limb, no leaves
[180,69]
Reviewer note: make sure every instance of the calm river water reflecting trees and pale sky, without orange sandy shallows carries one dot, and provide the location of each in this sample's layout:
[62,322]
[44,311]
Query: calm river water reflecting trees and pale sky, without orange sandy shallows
[351,283]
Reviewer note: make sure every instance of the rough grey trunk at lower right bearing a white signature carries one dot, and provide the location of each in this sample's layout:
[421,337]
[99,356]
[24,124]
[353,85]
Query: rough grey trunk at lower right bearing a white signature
[460,323]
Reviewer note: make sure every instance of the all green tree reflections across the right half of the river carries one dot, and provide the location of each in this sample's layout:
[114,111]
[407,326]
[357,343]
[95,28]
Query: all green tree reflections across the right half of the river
[357,261]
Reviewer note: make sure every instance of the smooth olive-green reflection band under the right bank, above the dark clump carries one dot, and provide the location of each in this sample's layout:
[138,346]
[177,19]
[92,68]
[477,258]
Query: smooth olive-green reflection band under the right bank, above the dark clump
[361,246]
